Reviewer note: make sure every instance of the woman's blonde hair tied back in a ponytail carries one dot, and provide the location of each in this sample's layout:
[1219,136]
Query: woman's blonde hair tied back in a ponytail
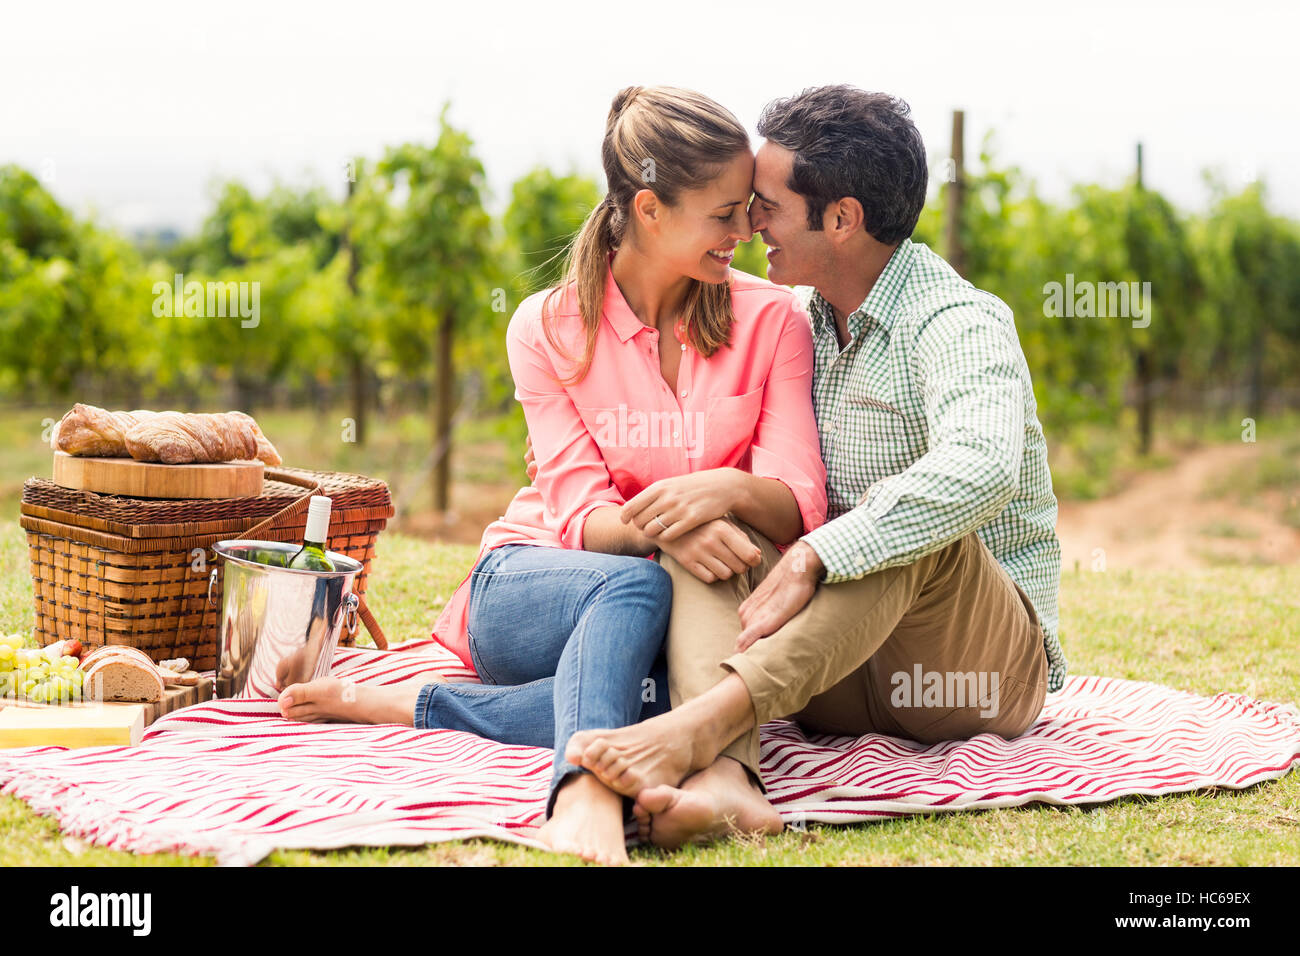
[668,141]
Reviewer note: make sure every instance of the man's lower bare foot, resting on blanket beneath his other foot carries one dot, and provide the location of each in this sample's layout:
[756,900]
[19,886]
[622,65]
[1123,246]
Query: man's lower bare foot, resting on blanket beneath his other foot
[714,803]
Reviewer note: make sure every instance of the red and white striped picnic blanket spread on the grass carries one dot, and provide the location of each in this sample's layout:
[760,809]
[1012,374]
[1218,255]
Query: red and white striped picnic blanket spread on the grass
[237,781]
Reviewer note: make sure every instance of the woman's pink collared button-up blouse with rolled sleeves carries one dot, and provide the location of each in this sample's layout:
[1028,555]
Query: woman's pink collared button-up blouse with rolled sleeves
[604,440]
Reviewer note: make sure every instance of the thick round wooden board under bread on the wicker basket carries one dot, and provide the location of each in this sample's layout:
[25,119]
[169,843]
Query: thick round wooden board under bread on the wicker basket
[158,481]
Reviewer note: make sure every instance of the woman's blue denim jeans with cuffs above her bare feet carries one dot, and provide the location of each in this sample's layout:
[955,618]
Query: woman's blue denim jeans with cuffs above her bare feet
[564,641]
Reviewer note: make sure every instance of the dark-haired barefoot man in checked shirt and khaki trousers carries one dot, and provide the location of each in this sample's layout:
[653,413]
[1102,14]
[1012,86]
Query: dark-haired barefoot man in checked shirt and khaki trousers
[926,607]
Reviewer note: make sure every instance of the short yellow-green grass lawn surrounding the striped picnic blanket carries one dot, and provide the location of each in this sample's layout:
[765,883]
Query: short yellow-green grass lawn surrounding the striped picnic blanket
[1232,629]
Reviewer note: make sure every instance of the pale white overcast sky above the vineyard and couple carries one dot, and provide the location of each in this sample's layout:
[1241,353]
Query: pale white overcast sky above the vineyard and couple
[135,109]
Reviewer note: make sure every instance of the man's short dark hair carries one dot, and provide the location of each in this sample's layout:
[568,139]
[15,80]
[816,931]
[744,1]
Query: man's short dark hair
[848,142]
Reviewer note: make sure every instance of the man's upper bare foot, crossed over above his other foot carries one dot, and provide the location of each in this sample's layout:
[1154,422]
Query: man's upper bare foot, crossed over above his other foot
[629,760]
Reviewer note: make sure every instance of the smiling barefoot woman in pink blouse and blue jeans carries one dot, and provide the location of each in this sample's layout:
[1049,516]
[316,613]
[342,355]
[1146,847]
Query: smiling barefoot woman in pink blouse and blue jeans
[664,392]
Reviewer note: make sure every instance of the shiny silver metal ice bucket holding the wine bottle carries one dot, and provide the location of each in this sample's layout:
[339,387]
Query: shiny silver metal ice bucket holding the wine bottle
[279,626]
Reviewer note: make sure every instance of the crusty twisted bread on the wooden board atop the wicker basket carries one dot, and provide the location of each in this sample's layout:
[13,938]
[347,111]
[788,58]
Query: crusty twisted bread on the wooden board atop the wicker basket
[167,436]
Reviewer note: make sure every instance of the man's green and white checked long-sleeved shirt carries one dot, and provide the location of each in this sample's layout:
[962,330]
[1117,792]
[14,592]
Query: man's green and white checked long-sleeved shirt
[930,431]
